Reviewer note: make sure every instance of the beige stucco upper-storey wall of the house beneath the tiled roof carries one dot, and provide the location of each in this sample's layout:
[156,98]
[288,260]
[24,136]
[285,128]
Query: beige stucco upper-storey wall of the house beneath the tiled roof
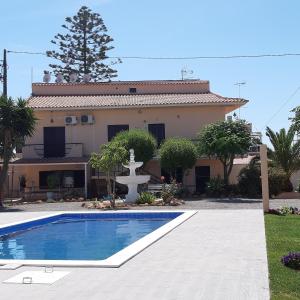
[179,121]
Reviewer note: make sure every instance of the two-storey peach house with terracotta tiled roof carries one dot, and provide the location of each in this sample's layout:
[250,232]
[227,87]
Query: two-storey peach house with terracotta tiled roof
[74,119]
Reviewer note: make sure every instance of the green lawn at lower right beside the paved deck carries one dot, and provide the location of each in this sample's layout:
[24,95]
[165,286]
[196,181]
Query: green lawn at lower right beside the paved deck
[283,236]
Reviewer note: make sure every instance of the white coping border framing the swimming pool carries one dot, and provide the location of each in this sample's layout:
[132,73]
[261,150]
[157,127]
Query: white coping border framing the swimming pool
[117,259]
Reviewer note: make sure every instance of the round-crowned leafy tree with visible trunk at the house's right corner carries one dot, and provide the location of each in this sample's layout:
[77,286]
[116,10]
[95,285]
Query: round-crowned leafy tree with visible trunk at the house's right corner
[224,140]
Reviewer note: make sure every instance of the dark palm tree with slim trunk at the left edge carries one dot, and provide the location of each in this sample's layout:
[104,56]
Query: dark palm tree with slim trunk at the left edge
[17,121]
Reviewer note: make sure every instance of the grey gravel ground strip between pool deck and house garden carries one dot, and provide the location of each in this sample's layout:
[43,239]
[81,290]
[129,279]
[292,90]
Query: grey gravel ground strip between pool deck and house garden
[189,204]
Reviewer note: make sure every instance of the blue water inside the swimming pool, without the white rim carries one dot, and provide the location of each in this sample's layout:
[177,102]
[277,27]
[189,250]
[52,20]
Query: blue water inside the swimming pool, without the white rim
[78,236]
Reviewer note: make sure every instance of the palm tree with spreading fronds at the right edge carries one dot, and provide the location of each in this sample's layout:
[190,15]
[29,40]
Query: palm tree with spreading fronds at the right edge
[286,153]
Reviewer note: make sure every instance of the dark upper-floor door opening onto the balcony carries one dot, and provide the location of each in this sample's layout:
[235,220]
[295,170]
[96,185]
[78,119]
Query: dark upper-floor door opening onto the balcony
[54,141]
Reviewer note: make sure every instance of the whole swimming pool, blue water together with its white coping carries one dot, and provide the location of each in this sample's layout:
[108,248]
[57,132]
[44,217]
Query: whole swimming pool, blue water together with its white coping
[105,239]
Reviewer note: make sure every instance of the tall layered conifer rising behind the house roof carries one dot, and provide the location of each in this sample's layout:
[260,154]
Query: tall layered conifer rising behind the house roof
[82,50]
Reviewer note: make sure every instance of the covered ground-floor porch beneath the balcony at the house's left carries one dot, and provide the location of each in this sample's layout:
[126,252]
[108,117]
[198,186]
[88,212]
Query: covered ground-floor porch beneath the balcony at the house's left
[27,178]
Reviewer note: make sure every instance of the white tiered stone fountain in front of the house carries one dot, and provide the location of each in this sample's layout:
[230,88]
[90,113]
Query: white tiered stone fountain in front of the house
[132,180]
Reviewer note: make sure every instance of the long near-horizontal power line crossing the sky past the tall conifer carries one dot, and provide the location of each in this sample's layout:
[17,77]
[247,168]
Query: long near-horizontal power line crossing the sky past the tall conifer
[178,57]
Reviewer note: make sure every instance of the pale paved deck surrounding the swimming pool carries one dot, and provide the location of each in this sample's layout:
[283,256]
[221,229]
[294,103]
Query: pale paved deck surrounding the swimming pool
[216,254]
